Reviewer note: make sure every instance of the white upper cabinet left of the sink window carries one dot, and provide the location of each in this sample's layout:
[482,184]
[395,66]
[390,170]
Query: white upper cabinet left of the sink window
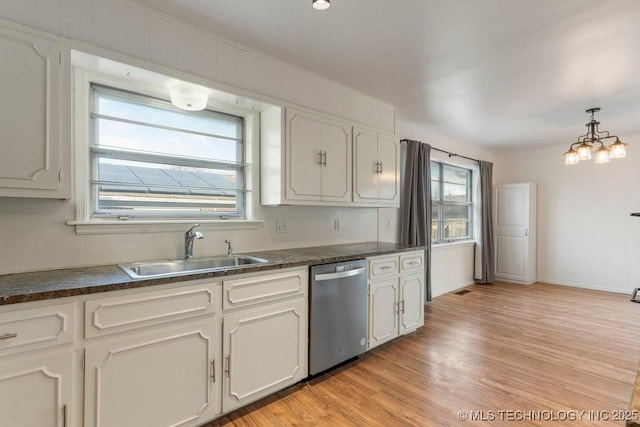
[34,114]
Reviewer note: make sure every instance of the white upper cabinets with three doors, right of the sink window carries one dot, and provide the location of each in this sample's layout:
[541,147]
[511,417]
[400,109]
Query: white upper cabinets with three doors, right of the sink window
[317,159]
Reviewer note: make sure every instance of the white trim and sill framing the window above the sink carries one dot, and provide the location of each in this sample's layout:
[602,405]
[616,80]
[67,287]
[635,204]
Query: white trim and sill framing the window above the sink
[84,224]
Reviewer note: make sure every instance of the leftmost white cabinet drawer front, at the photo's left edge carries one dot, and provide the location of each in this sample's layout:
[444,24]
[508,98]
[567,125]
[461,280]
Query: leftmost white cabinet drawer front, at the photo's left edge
[36,328]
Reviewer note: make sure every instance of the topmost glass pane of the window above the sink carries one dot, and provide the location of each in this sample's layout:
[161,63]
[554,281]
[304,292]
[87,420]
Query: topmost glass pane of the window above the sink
[141,109]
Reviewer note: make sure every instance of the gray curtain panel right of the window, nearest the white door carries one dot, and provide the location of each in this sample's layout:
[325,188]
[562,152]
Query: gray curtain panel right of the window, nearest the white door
[487,260]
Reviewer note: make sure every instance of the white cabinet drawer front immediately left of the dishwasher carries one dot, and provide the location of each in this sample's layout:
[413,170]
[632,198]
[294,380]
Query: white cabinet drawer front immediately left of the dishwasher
[253,290]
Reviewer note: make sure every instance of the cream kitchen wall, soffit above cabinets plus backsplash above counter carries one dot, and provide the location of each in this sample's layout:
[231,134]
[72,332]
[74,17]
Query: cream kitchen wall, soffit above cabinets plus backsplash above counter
[34,233]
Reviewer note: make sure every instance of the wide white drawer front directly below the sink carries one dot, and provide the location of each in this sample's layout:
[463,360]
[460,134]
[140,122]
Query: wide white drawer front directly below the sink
[109,315]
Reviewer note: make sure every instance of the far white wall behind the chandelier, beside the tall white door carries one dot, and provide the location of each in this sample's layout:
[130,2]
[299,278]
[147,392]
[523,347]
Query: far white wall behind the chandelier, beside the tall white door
[586,237]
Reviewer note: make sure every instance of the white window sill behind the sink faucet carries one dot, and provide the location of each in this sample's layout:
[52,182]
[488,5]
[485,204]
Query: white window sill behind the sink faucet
[150,226]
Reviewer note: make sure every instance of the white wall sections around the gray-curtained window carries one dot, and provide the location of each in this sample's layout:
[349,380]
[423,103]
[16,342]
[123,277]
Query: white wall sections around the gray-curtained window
[452,264]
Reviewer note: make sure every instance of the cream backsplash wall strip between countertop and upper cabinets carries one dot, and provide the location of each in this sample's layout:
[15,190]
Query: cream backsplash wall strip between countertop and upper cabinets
[35,236]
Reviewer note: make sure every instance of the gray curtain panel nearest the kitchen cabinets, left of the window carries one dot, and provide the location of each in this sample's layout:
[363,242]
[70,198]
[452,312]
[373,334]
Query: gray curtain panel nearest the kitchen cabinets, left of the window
[415,207]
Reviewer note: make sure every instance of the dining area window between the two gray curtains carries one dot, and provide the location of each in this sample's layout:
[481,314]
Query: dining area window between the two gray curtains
[451,203]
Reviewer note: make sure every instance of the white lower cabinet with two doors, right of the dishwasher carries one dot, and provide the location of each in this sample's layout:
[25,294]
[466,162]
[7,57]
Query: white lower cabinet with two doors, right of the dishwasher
[396,296]
